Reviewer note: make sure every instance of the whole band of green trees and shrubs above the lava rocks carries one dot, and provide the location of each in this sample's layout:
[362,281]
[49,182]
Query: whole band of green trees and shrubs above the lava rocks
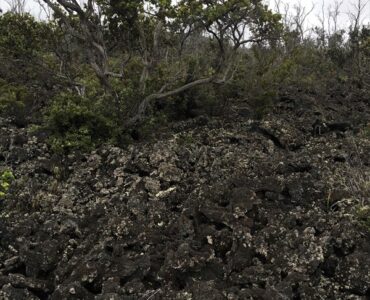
[149,48]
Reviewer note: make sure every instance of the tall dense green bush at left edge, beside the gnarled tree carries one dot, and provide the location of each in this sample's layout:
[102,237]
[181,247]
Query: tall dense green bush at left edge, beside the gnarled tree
[27,65]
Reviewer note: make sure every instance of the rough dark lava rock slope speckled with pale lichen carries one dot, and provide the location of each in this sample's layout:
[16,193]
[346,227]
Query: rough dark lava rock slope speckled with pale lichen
[218,209]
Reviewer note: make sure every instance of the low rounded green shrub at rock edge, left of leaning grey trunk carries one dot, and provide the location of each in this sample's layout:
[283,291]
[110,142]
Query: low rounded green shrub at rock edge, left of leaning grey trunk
[78,123]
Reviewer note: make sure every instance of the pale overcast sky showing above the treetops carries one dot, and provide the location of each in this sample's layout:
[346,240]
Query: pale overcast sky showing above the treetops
[312,20]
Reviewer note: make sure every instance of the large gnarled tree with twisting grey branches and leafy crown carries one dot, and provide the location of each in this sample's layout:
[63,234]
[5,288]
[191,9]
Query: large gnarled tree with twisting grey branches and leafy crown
[165,31]
